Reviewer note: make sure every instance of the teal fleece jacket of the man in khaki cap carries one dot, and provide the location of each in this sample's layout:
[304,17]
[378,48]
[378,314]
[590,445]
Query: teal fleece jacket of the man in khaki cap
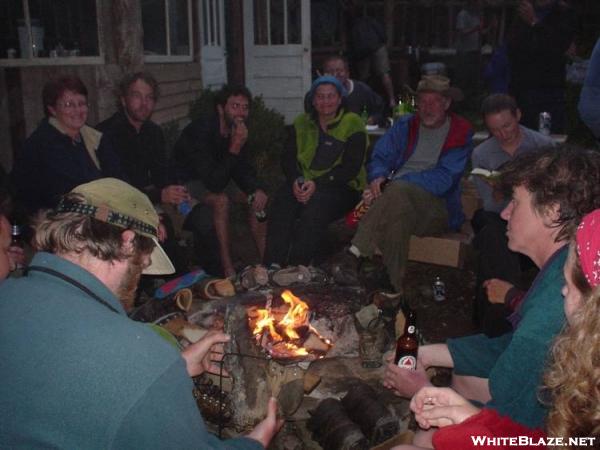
[77,374]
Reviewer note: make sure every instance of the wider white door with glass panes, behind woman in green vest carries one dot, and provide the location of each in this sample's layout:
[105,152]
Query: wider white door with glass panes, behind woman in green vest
[277,53]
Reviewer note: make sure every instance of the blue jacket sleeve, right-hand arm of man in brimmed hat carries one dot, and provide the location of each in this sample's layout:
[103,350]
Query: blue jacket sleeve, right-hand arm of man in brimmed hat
[447,171]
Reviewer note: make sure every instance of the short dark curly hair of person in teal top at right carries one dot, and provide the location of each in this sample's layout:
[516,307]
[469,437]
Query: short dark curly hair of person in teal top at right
[564,175]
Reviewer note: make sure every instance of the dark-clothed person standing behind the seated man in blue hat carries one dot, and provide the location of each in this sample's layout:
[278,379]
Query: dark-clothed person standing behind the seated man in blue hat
[369,49]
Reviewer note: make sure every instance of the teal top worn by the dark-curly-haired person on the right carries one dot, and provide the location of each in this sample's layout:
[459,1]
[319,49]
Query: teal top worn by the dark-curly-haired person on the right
[514,363]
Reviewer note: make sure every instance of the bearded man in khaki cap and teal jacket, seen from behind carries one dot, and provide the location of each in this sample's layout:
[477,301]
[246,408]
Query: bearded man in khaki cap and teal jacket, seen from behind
[76,371]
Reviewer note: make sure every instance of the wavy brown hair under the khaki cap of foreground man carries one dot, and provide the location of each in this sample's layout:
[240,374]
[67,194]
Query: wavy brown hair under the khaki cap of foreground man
[79,233]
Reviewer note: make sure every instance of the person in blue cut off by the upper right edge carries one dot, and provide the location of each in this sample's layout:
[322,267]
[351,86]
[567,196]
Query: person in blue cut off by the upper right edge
[589,100]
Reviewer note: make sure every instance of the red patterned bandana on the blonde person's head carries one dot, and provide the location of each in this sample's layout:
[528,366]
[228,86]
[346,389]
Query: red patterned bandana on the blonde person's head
[587,239]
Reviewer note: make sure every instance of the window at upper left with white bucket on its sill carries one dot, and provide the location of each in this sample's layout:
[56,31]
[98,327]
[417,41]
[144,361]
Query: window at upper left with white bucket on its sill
[48,32]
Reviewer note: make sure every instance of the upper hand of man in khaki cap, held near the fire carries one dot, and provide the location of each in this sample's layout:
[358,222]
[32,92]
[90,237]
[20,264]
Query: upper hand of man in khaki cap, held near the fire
[203,355]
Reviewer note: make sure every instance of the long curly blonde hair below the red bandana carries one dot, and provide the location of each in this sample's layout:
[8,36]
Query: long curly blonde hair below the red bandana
[573,378]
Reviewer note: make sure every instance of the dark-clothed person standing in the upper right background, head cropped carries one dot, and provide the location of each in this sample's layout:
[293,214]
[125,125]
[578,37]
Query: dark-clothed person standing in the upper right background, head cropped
[540,35]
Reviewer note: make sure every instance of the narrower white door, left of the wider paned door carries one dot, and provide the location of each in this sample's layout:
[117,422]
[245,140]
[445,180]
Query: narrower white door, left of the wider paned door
[212,43]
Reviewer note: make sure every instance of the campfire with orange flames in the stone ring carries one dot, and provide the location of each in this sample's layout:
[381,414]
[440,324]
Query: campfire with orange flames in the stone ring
[284,330]
